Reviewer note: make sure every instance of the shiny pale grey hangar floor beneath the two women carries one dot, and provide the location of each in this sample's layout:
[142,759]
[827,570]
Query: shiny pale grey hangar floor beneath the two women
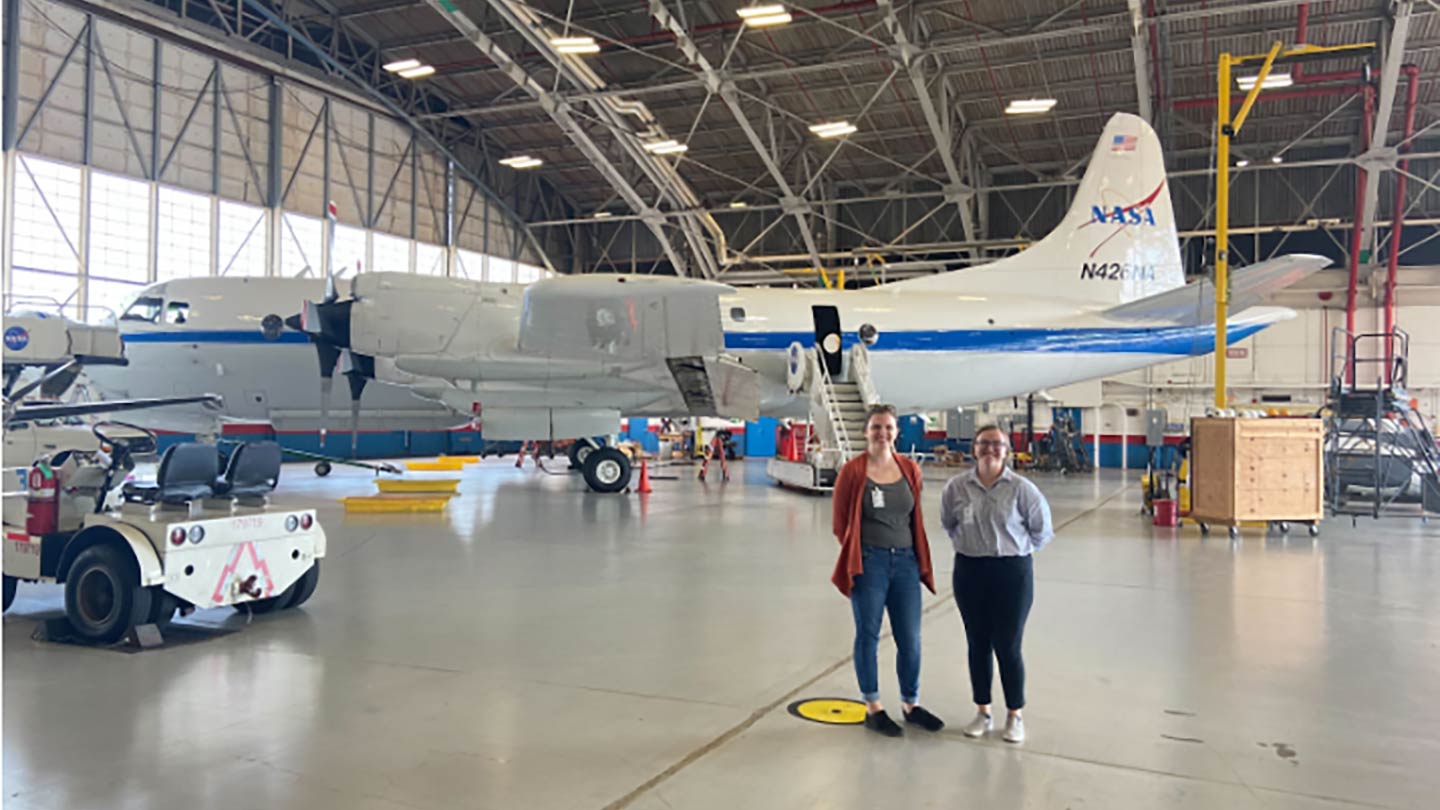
[544,648]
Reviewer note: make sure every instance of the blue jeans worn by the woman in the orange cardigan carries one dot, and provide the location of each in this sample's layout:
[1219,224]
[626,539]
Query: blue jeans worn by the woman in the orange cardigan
[891,580]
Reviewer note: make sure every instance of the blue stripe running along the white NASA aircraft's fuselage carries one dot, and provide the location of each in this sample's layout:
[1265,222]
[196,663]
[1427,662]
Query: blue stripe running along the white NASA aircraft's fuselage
[1141,341]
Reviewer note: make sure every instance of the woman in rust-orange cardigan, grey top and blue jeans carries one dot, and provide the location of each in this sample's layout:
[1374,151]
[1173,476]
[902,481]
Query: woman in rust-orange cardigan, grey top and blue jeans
[883,560]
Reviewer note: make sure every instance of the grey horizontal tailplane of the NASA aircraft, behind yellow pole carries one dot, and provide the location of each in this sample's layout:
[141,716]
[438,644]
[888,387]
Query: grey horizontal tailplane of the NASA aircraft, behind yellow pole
[1196,303]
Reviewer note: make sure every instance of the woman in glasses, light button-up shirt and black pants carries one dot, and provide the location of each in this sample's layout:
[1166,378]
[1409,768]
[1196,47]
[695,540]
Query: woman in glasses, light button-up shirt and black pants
[997,521]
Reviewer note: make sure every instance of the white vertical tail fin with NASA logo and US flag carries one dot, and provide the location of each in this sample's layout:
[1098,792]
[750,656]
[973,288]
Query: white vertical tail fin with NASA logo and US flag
[1117,244]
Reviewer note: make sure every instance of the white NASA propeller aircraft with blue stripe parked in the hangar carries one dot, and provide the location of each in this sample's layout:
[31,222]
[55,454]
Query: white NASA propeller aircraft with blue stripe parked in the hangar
[568,357]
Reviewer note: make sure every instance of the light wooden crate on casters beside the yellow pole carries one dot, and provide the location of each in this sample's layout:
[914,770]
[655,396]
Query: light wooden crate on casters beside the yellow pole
[1258,471]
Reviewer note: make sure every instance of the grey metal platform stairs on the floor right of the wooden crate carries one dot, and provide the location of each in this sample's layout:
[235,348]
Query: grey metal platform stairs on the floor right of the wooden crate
[1380,455]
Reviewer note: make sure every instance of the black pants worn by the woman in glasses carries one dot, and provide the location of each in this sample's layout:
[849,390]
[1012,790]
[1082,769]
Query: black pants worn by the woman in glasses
[994,595]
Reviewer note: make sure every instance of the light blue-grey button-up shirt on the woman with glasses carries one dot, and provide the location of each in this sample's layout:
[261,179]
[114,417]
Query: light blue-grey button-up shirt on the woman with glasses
[1007,520]
